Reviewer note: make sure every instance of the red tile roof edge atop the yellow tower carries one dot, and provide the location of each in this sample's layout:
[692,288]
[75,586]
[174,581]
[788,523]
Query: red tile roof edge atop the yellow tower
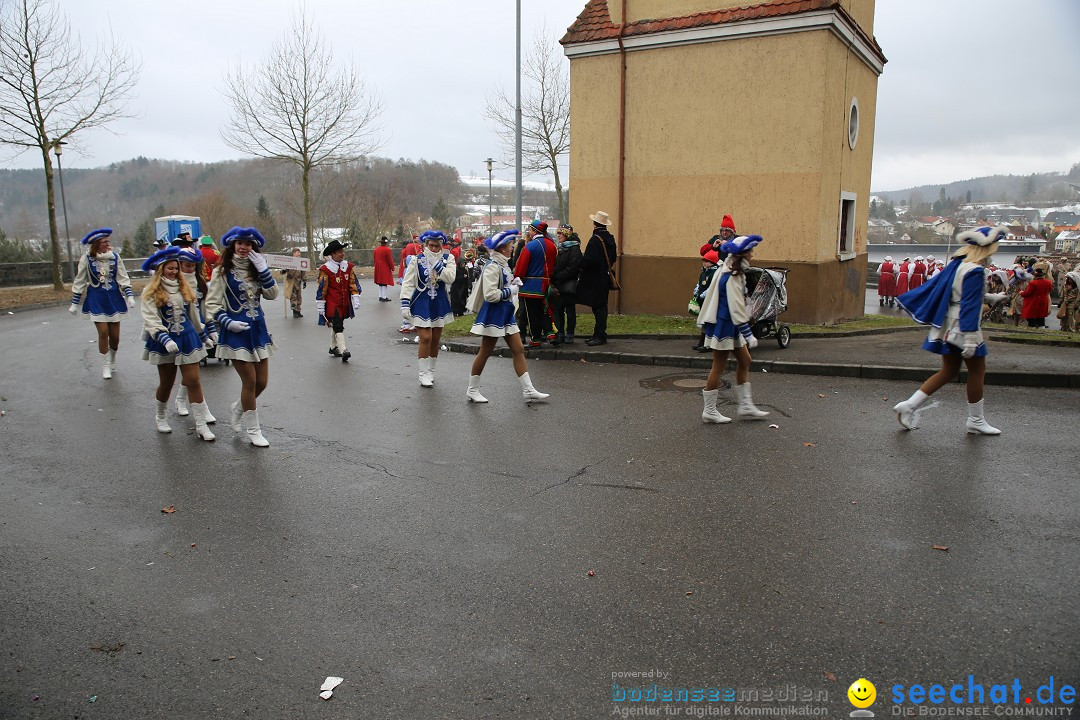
[595,23]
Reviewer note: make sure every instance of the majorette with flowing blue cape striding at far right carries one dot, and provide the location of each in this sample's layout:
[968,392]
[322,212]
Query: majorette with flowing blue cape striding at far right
[952,303]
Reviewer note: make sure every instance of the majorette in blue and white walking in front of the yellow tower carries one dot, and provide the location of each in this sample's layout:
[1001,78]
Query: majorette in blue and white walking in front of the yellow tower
[726,324]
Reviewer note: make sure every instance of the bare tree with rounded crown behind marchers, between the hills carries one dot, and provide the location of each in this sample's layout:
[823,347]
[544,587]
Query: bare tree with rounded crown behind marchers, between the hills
[299,108]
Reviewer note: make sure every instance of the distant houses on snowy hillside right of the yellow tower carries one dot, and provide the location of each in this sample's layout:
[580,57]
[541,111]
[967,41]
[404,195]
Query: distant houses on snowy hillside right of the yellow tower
[1061,228]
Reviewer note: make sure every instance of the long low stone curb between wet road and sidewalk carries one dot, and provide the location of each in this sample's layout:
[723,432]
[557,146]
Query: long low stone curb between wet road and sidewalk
[782,368]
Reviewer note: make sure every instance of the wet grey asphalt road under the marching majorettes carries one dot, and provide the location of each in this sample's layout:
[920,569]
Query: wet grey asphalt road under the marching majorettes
[436,554]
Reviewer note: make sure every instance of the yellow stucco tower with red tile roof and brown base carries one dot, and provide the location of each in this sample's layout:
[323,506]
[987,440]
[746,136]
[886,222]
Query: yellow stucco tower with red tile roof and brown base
[685,111]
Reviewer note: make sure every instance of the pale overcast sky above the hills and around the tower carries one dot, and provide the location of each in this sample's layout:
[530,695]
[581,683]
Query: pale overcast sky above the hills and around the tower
[973,87]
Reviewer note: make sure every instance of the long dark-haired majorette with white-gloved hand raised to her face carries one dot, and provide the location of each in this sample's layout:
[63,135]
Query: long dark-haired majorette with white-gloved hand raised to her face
[234,302]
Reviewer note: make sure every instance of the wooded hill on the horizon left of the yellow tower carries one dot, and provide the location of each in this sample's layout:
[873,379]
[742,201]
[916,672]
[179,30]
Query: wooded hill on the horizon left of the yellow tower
[371,198]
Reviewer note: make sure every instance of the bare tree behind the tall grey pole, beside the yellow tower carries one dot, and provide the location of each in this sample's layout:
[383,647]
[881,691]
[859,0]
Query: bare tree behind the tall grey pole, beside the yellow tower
[546,113]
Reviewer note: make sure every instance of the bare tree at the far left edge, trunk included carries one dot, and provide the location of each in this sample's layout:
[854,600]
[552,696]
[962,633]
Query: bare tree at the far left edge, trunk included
[52,89]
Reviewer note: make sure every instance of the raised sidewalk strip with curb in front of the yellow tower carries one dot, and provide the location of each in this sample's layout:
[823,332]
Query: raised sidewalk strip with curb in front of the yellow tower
[894,356]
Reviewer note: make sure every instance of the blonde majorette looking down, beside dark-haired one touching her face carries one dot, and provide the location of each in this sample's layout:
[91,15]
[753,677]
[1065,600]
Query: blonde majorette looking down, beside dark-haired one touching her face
[174,336]
